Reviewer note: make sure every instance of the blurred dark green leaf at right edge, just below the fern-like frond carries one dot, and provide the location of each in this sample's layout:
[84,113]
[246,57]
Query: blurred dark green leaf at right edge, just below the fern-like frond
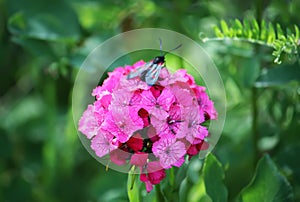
[279,75]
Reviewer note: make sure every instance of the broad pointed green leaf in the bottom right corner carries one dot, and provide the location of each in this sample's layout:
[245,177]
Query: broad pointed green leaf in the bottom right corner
[268,184]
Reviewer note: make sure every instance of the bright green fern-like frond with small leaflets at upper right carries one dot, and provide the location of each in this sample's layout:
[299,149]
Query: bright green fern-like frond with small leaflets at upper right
[283,43]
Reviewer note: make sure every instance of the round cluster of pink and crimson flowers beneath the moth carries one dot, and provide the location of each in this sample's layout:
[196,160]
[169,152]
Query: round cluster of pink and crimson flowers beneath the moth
[151,127]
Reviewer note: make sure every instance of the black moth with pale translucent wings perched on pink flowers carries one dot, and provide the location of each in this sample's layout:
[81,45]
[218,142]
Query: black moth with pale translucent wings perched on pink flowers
[149,72]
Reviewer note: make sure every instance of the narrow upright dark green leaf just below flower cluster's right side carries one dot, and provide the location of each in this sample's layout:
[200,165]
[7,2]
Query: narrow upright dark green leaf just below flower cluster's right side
[213,175]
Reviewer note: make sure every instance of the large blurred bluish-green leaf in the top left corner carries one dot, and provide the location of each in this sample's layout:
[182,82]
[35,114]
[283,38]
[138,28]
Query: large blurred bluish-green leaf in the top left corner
[46,20]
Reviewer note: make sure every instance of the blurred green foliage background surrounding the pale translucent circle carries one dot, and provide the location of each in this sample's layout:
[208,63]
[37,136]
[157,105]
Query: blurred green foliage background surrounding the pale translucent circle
[43,44]
